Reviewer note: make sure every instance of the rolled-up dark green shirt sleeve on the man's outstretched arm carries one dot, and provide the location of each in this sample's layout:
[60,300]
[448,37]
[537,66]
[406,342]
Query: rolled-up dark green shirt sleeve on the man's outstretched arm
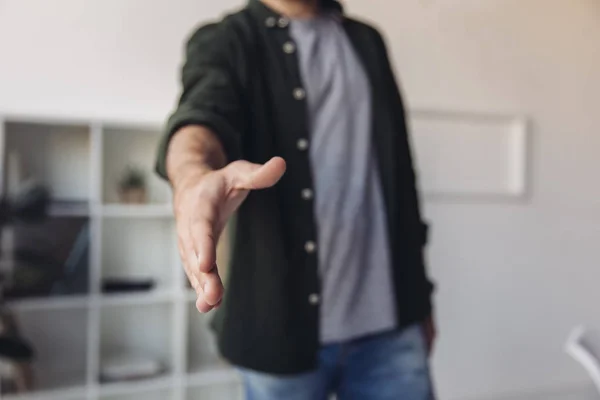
[210,93]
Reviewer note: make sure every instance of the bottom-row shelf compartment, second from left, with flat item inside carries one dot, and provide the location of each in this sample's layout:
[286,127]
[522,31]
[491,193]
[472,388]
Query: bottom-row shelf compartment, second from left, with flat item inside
[138,331]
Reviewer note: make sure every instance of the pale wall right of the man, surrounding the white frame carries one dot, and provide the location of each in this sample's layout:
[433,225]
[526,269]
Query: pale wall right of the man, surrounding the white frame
[513,277]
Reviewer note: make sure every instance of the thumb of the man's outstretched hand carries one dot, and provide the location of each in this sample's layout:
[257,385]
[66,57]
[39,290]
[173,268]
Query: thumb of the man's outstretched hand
[245,175]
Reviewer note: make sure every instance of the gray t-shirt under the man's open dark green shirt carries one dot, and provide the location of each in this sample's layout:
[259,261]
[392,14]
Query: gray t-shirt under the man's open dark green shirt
[354,256]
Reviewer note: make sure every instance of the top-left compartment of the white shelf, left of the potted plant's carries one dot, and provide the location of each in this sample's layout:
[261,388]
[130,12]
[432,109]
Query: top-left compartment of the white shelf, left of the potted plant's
[57,156]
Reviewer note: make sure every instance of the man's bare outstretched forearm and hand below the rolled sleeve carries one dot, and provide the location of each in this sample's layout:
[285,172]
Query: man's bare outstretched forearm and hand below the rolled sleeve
[206,192]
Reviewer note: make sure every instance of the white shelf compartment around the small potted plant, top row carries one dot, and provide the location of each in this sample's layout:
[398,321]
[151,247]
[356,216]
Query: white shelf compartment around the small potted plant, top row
[127,147]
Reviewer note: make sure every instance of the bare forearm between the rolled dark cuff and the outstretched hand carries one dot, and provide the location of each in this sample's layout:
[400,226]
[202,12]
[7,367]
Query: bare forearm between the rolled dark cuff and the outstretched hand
[193,151]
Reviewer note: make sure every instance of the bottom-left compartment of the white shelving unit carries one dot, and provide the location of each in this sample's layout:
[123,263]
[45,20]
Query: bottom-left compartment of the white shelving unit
[59,339]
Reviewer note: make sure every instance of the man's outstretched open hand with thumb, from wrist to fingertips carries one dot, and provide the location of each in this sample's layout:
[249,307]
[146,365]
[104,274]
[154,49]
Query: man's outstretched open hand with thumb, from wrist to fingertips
[203,205]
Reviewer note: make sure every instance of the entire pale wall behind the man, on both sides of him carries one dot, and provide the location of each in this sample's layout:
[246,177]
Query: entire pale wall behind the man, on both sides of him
[514,277]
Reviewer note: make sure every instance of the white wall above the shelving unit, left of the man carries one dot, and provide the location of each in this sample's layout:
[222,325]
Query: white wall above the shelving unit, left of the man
[115,59]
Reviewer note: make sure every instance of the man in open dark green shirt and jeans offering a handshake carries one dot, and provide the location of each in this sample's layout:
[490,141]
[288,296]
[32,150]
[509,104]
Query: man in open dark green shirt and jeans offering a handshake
[327,290]
